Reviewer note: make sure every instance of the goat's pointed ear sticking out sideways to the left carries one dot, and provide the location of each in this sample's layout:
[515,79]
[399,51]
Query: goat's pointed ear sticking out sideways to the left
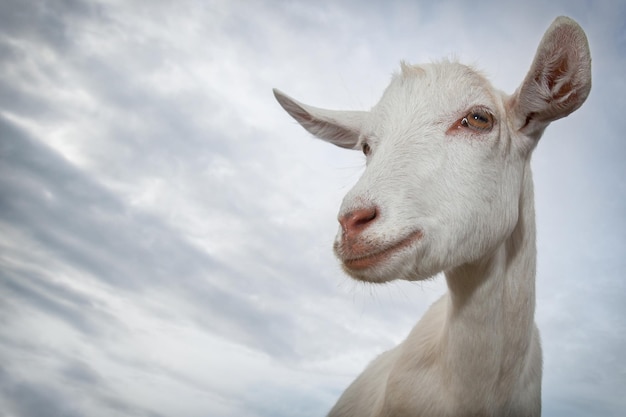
[341,128]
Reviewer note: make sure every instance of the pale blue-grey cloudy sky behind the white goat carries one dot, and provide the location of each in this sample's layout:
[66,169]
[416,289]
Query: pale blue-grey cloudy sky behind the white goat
[166,229]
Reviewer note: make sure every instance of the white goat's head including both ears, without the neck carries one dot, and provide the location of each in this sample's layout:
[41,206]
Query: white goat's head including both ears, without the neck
[446,155]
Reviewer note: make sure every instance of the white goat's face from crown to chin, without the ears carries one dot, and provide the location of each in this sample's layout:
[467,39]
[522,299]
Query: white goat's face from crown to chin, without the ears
[442,181]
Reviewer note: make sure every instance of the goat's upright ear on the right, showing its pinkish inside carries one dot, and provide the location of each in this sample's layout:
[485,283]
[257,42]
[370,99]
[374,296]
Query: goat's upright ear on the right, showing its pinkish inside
[558,82]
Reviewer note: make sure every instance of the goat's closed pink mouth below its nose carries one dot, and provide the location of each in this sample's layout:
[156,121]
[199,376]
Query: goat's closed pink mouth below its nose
[372,255]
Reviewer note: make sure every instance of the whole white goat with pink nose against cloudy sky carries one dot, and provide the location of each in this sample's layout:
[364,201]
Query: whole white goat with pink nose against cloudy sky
[448,188]
